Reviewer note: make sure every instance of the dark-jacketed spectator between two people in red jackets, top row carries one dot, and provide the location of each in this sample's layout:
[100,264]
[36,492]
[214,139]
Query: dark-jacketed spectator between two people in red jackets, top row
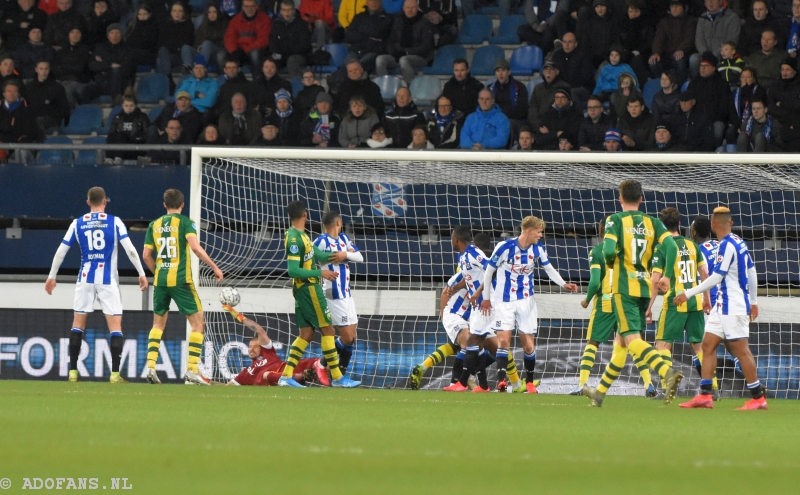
[290,40]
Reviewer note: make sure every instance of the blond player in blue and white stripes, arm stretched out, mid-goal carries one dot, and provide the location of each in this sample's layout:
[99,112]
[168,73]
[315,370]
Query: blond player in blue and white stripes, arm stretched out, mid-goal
[511,294]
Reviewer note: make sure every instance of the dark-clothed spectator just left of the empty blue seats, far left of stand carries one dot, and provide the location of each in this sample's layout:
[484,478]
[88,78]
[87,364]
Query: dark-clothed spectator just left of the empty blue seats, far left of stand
[47,100]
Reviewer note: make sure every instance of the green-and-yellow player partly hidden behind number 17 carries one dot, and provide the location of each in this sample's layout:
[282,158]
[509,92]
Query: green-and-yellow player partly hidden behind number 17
[603,323]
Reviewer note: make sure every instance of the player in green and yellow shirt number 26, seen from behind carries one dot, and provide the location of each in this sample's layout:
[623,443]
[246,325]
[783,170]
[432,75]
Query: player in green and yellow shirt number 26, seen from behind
[173,237]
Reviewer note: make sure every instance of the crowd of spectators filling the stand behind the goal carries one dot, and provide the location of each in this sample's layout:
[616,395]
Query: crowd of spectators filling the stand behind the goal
[726,73]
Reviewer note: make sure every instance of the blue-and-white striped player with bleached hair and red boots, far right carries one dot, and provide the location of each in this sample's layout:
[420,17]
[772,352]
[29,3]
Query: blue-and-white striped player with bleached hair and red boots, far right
[736,306]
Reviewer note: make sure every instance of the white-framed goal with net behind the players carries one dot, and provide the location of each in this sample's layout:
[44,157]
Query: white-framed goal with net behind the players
[400,208]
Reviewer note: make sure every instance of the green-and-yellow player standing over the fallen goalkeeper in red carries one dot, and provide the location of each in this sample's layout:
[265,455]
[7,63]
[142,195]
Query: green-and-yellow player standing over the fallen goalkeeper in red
[311,308]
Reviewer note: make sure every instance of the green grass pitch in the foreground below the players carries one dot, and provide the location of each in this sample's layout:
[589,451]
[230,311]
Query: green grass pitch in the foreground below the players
[193,440]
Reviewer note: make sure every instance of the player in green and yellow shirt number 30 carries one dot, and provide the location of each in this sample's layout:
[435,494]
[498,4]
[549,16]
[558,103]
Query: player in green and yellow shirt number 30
[689,263]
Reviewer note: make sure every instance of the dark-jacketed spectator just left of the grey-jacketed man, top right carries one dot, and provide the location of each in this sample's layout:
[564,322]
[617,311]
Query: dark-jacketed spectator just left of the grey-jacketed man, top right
[674,42]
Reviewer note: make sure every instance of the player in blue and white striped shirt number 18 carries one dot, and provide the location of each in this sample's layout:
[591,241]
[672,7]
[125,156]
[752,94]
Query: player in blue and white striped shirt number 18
[97,234]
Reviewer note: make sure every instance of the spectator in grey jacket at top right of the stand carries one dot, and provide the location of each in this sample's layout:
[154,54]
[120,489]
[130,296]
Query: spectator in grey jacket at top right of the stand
[716,26]
